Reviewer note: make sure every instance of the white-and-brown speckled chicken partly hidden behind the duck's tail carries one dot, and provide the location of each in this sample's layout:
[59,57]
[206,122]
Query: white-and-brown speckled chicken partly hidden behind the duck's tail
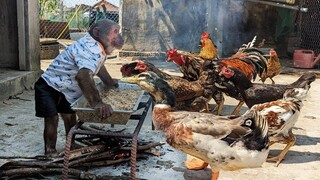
[281,116]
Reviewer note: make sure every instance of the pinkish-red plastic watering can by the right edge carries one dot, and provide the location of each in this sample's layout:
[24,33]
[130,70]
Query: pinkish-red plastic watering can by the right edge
[304,59]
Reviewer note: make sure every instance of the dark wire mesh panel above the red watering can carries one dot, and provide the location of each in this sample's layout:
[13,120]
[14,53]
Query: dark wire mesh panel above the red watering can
[310,26]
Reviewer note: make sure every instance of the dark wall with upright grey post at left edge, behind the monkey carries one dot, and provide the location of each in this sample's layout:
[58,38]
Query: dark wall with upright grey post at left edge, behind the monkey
[19,40]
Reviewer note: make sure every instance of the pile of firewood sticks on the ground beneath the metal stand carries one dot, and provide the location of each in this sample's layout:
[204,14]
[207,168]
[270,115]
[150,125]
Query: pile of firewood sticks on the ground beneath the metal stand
[96,152]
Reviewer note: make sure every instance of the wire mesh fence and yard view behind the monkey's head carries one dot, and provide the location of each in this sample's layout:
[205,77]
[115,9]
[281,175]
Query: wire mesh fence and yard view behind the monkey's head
[69,19]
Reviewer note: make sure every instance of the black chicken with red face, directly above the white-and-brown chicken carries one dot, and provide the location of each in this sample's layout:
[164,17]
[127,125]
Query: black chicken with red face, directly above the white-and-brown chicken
[256,93]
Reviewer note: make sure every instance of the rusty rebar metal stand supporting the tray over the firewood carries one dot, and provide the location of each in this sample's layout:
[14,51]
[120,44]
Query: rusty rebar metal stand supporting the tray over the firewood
[79,129]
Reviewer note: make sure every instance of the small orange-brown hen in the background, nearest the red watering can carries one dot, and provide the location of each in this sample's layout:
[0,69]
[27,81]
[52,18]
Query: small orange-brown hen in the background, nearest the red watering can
[273,67]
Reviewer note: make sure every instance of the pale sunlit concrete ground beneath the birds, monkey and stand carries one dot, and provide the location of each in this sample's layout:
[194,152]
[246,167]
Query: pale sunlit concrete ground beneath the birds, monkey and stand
[21,135]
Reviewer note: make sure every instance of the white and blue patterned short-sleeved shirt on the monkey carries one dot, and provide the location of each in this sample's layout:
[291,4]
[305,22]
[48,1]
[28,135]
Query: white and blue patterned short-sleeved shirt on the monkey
[84,53]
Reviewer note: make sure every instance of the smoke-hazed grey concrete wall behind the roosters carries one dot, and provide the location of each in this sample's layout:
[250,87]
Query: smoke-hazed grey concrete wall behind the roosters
[158,25]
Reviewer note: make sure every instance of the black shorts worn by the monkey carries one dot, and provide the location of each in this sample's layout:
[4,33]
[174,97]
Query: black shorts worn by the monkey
[49,102]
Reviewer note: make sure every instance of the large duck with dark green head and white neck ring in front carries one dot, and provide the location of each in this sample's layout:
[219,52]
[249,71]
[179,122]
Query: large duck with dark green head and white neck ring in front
[224,142]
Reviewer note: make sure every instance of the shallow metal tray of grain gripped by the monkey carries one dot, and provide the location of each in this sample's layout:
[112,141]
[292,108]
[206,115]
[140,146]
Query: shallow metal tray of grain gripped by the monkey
[119,116]
